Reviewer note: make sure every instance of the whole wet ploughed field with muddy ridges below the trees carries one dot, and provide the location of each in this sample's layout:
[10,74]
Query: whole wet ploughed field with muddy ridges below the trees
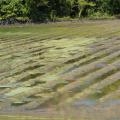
[66,70]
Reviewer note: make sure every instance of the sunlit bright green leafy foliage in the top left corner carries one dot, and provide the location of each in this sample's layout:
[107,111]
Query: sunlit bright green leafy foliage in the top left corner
[12,8]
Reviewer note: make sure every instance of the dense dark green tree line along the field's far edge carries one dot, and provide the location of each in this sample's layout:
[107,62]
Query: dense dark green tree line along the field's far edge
[40,10]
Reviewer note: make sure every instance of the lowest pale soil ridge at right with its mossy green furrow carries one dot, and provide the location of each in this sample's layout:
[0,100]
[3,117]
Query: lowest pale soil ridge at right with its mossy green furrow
[98,90]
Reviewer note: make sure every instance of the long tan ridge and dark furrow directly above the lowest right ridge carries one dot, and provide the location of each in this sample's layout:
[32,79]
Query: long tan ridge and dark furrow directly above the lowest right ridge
[78,86]
